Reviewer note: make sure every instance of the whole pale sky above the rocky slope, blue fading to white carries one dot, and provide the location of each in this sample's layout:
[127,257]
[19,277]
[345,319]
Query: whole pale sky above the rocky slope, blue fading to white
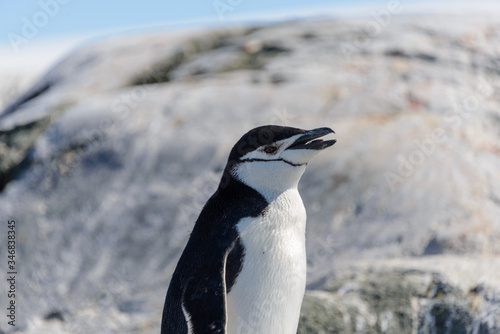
[35,33]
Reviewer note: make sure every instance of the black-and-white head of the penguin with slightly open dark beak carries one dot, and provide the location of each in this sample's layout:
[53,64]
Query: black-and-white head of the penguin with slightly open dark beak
[271,159]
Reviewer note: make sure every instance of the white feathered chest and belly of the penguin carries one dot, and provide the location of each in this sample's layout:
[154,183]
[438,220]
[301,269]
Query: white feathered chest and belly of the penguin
[268,292]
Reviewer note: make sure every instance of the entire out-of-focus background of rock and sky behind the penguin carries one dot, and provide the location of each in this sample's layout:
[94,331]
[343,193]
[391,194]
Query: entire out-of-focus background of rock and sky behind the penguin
[116,120]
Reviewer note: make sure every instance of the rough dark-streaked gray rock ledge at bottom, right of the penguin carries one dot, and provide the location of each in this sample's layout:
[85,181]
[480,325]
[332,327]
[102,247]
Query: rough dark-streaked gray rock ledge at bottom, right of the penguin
[398,301]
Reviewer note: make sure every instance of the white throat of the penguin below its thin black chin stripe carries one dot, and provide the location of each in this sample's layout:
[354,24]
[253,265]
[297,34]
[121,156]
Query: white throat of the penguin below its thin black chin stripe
[268,181]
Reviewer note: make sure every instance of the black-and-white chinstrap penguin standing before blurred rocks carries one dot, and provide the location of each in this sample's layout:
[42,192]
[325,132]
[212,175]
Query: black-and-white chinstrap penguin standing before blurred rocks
[243,269]
